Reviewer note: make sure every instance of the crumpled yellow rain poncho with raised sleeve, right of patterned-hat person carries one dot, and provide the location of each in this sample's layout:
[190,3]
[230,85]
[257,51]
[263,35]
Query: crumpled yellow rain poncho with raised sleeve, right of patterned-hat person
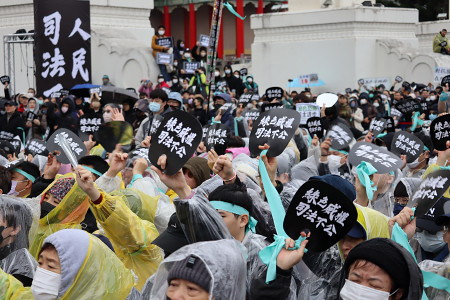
[130,235]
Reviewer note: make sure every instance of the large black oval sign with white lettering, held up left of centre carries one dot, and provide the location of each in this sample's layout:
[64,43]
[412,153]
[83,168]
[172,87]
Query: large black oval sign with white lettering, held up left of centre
[177,137]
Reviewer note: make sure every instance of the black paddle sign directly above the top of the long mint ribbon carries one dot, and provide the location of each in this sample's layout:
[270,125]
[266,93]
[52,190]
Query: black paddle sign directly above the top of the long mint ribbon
[275,127]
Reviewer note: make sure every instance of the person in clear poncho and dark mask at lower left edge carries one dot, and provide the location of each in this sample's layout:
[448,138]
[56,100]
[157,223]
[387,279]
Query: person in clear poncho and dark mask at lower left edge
[15,223]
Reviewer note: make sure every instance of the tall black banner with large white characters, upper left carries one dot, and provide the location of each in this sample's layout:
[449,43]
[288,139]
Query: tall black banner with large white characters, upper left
[62,44]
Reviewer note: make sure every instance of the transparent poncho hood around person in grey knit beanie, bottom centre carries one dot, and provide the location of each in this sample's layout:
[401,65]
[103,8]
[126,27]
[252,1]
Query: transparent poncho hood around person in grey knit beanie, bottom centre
[226,263]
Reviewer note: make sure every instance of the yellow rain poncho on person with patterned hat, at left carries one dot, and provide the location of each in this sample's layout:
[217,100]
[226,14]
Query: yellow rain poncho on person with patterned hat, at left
[69,213]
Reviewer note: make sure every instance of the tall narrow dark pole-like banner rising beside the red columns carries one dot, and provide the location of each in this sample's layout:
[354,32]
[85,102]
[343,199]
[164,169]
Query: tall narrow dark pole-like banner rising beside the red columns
[213,41]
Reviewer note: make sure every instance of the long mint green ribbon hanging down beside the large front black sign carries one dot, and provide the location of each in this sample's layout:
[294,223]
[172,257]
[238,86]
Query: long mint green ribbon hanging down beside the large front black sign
[269,254]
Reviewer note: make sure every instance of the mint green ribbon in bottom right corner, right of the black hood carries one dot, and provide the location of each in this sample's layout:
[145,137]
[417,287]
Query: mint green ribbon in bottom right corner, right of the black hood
[429,278]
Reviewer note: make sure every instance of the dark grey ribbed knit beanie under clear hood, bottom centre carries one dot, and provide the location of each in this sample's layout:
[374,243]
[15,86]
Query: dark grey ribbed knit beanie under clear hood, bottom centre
[192,269]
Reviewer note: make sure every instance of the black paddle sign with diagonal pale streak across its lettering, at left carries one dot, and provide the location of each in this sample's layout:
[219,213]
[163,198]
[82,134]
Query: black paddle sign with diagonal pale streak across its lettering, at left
[75,143]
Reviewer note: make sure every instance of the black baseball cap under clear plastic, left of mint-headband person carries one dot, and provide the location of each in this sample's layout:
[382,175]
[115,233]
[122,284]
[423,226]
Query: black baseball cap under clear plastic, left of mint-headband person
[173,238]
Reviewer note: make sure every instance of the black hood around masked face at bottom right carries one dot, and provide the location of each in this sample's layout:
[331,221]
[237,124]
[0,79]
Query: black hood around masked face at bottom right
[383,254]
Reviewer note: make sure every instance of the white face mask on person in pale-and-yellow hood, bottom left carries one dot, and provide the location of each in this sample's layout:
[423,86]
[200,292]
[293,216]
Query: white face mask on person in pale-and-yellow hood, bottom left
[45,284]
